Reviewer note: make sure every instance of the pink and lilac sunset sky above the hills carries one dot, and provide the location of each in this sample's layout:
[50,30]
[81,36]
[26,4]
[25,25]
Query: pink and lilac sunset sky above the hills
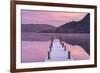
[48,17]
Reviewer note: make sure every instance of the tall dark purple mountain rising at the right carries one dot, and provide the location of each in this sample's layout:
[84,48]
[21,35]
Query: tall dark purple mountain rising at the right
[82,26]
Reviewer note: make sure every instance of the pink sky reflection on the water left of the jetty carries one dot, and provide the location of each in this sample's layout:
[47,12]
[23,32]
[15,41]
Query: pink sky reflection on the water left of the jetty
[31,52]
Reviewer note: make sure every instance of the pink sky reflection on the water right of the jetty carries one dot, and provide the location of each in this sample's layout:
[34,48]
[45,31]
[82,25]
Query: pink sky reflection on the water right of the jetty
[77,52]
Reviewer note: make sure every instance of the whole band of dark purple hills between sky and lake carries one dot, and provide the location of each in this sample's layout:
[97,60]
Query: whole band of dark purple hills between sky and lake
[82,26]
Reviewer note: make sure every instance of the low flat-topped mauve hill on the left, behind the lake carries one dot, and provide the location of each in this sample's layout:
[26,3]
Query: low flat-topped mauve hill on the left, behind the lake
[37,28]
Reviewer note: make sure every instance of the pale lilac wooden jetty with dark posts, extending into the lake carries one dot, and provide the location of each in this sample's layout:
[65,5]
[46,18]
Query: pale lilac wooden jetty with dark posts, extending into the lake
[57,51]
